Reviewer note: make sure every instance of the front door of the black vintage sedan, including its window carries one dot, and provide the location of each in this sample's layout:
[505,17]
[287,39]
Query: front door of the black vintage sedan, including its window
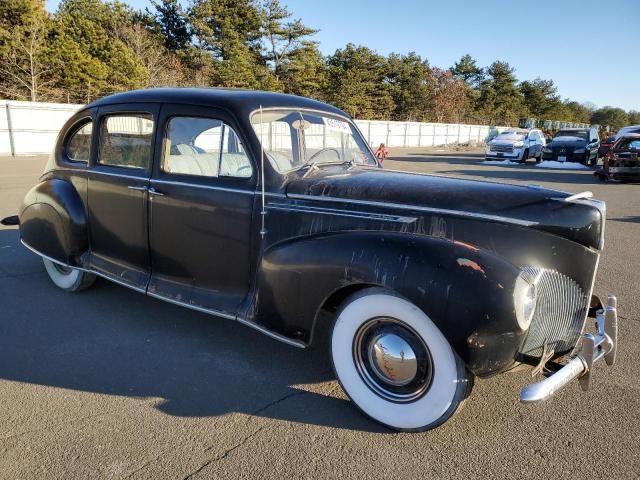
[201,207]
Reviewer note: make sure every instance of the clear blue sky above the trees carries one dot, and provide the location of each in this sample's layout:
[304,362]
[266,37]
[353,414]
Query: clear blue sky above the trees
[589,48]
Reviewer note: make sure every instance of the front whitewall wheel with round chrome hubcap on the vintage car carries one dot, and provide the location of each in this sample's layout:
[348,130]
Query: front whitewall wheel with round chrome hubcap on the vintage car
[395,364]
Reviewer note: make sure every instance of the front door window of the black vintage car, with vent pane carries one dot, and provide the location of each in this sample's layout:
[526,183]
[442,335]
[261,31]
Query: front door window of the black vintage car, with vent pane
[204,147]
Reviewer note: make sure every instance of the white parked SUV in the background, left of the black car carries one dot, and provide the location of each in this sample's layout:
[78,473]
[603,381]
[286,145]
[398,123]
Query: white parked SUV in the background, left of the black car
[516,145]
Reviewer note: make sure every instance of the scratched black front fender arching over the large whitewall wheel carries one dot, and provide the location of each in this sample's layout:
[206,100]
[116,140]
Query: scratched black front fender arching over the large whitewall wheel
[467,292]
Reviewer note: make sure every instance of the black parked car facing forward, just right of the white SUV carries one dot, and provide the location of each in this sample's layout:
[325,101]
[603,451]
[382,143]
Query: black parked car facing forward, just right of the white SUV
[573,145]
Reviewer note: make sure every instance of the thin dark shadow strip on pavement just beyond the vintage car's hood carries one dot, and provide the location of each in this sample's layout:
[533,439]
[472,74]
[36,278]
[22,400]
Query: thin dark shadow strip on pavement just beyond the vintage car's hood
[527,175]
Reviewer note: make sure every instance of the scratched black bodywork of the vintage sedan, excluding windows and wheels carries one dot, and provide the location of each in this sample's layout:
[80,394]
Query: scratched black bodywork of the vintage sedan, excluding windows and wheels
[453,247]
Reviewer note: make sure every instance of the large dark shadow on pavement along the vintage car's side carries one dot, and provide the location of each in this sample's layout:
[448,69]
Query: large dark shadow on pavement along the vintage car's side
[112,340]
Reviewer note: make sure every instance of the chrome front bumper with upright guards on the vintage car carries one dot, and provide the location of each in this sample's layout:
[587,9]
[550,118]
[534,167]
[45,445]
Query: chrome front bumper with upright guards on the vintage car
[595,347]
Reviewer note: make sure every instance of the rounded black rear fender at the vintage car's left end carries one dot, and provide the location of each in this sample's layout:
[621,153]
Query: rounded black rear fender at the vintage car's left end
[53,221]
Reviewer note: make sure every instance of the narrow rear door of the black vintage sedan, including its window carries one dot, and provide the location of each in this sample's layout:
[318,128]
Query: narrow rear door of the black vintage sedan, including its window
[118,198]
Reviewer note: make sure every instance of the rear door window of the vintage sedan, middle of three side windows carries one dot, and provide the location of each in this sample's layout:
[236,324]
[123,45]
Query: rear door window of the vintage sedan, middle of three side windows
[125,140]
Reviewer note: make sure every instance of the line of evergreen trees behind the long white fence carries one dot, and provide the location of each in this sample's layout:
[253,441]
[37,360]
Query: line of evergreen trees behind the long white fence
[90,48]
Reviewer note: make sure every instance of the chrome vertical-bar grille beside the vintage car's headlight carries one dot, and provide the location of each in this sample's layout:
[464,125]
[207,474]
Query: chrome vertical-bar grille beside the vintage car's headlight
[560,315]
